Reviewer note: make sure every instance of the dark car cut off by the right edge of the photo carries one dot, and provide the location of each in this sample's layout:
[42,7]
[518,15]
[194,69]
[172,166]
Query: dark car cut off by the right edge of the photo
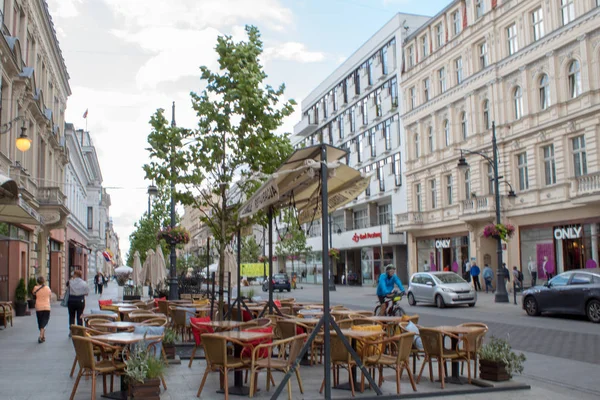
[573,292]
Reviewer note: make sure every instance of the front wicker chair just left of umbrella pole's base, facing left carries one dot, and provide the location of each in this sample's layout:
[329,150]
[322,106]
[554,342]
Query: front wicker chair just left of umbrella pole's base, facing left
[262,358]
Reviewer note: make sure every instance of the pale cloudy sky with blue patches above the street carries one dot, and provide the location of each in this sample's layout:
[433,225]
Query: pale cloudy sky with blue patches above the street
[127,58]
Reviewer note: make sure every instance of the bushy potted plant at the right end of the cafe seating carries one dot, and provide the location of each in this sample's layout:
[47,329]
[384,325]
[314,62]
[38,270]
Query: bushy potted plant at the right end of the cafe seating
[497,361]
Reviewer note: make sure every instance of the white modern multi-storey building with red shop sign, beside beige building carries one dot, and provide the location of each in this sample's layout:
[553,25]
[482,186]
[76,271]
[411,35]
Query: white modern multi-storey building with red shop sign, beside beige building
[358,108]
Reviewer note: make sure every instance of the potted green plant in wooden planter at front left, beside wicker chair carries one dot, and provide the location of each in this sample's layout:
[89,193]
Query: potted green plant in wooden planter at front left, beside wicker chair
[144,369]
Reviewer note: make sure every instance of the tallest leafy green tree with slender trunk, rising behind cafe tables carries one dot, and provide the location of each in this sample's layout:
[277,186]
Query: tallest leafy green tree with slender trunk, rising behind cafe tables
[235,141]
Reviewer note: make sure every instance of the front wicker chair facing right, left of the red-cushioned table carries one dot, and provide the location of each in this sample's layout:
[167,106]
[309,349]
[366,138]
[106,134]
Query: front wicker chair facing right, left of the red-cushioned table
[218,360]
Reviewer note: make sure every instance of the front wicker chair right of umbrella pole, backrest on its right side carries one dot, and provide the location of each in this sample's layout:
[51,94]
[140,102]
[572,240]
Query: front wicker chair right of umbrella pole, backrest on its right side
[374,357]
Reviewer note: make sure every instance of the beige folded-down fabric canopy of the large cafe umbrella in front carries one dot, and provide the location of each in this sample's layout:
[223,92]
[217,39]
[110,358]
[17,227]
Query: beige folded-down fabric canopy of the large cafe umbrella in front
[297,183]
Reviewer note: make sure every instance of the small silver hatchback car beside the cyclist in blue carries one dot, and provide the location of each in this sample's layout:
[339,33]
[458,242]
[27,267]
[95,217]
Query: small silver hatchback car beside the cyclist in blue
[441,289]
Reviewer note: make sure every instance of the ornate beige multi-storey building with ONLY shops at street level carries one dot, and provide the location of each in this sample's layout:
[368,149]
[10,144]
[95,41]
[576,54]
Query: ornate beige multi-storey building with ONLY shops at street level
[533,68]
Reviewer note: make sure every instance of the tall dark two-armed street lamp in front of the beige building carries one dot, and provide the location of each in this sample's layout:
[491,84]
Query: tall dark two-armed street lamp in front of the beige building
[501,294]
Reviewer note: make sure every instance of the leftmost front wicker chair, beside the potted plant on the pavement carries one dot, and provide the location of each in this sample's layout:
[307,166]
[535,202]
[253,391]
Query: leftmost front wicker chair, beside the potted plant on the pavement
[89,366]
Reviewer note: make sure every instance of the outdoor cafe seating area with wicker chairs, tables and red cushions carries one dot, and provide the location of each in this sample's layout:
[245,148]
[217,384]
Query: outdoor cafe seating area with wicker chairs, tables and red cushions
[250,351]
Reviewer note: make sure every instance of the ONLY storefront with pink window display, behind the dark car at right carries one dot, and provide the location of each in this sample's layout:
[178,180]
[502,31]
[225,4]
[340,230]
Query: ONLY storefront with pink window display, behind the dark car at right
[553,249]
